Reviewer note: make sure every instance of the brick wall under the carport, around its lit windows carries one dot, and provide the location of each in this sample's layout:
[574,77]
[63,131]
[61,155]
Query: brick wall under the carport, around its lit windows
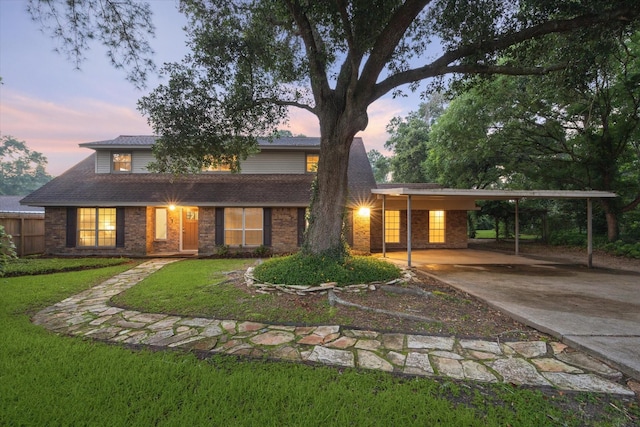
[455,234]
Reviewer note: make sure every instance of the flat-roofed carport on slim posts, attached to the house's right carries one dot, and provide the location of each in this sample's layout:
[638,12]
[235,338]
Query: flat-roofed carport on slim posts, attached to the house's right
[466,197]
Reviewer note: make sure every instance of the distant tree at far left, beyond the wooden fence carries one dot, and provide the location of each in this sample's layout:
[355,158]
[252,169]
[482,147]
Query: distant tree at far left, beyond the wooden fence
[21,170]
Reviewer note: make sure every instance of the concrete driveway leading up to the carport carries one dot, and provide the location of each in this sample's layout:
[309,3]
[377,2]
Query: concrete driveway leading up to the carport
[594,310]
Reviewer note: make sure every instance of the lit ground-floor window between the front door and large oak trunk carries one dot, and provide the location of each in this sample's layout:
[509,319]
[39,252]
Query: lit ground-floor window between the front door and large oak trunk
[243,226]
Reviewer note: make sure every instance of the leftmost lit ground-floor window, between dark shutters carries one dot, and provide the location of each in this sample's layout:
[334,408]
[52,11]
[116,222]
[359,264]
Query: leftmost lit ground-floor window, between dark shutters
[97,227]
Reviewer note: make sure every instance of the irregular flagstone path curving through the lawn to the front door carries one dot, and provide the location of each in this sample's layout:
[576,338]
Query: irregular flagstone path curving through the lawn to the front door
[534,363]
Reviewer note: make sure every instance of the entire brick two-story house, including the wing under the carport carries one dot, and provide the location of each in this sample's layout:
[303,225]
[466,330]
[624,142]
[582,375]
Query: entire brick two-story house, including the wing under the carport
[111,204]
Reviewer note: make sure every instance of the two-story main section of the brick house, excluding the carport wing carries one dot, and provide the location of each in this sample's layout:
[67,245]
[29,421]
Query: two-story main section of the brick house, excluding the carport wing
[110,204]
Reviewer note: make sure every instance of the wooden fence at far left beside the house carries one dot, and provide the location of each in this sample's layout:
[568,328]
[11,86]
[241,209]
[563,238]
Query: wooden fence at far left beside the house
[27,231]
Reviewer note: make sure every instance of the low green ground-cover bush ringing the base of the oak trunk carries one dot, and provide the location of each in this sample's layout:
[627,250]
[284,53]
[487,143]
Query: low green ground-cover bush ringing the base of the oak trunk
[299,269]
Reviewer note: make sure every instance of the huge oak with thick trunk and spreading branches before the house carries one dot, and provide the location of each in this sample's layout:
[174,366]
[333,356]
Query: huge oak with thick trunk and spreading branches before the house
[253,60]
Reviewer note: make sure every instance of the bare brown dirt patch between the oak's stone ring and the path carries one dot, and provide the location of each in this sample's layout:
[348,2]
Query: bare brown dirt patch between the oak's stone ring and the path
[451,312]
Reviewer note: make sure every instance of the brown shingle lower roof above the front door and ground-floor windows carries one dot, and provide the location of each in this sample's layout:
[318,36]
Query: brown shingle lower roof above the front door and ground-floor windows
[81,186]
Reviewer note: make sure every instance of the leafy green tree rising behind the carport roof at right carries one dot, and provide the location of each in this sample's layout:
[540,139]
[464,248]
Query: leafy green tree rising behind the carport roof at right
[556,132]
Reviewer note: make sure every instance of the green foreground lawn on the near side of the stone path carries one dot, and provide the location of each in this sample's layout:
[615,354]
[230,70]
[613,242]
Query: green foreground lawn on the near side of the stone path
[47,379]
